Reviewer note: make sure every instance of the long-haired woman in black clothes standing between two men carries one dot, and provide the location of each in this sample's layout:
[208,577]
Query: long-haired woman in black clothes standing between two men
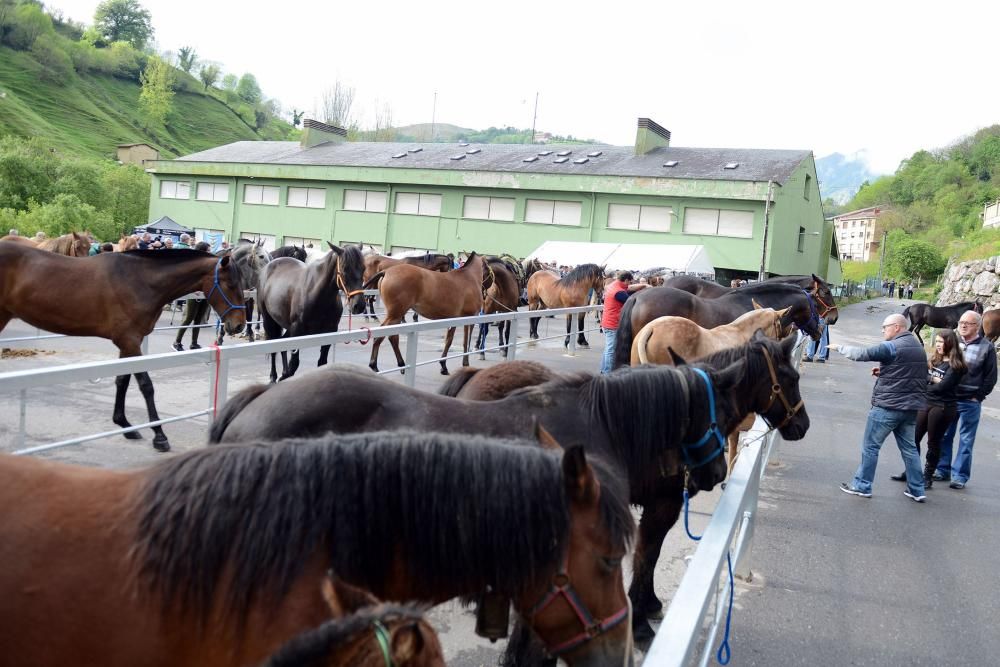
[945,369]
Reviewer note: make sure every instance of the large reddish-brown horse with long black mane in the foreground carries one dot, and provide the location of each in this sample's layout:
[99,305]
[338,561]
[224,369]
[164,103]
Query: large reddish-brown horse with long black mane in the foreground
[220,556]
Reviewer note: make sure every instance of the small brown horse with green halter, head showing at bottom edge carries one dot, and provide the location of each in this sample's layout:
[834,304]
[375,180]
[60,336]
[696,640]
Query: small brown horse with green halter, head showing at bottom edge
[363,632]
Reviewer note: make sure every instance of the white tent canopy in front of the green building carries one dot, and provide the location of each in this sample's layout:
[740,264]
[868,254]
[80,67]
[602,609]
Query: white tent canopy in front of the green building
[630,256]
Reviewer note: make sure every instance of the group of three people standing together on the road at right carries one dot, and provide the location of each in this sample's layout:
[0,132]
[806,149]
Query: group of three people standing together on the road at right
[915,396]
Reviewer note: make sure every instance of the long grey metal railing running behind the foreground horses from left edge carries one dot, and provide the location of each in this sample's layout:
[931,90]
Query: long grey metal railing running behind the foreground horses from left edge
[218,359]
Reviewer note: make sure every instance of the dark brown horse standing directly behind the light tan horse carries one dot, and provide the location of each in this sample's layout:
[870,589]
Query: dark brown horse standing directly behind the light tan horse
[645,306]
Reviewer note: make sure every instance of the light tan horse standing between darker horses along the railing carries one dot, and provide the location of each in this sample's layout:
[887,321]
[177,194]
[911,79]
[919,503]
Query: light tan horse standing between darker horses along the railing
[666,336]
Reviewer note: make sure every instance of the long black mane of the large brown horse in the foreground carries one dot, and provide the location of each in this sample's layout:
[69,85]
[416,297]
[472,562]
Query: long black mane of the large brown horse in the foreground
[241,521]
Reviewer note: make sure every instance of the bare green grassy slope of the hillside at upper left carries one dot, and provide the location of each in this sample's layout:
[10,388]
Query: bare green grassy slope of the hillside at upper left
[91,113]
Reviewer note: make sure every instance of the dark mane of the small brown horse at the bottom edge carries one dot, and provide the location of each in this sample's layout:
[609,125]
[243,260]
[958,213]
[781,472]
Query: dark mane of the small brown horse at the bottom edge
[314,646]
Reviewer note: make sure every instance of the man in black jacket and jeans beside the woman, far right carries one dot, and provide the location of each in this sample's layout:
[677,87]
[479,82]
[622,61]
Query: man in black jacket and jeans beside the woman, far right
[981,358]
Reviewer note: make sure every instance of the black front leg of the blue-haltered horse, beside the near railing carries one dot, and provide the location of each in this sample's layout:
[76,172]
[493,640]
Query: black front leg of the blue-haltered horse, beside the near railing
[657,519]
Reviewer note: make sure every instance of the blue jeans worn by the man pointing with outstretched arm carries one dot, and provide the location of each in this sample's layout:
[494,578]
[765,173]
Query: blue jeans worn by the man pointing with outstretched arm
[902,424]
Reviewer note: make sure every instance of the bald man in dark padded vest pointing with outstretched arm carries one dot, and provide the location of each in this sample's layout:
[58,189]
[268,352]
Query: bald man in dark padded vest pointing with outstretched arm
[898,395]
